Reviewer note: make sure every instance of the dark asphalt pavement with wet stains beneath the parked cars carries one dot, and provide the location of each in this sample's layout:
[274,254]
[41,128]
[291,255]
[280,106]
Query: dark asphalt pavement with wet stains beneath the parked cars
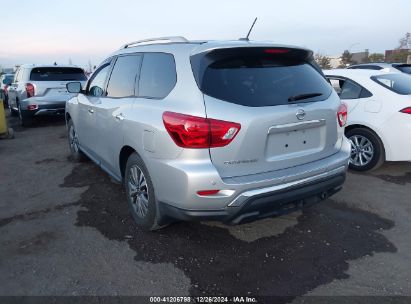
[65,229]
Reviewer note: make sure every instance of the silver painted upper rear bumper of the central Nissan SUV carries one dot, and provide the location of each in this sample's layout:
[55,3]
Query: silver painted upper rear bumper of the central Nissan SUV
[177,182]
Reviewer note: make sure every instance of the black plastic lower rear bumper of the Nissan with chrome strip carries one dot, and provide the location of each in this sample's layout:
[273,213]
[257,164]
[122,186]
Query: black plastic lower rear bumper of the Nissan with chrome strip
[266,202]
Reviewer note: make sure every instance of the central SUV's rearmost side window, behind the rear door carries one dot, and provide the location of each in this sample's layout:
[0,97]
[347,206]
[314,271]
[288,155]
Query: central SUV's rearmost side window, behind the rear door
[158,75]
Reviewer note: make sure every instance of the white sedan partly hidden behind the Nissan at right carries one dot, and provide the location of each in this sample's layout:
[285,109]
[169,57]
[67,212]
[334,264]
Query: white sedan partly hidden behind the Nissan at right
[379,115]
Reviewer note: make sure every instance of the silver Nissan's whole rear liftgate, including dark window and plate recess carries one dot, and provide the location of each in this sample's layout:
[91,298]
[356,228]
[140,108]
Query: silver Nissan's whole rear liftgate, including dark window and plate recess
[286,108]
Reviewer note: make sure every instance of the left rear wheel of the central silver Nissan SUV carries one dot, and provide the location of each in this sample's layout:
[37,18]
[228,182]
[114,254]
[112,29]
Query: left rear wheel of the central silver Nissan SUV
[140,194]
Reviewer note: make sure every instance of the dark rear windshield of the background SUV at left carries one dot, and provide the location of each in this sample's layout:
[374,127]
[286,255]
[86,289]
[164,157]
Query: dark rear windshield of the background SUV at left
[57,74]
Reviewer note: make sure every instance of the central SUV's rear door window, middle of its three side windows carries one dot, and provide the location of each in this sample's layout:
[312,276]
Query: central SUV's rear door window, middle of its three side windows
[123,77]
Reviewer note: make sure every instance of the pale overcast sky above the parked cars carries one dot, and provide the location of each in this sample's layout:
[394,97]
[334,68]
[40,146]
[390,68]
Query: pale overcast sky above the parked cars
[45,31]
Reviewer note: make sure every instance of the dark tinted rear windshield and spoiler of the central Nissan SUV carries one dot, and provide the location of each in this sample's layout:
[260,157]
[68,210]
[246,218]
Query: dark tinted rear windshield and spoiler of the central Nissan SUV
[258,77]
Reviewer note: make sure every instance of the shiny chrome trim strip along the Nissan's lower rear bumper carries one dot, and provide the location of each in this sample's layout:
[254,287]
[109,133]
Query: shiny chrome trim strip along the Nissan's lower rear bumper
[240,199]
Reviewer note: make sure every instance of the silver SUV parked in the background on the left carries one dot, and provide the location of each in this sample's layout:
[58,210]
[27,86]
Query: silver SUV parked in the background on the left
[41,90]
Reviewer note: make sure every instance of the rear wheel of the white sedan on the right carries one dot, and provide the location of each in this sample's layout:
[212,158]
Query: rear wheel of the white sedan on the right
[367,150]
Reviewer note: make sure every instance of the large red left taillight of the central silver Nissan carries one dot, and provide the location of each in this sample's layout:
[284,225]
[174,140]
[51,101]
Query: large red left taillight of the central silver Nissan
[197,132]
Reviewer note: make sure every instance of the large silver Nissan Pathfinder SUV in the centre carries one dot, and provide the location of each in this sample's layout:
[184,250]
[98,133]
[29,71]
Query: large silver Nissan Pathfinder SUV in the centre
[205,130]
